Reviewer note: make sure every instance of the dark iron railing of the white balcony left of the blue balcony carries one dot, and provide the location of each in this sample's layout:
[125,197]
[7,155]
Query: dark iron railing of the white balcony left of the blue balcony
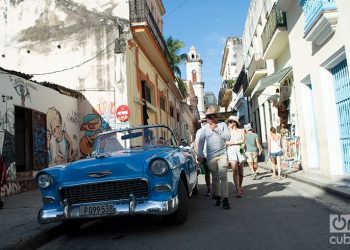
[276,19]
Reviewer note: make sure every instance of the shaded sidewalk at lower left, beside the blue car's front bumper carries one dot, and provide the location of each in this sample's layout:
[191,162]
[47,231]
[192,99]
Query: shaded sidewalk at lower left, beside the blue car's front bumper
[19,228]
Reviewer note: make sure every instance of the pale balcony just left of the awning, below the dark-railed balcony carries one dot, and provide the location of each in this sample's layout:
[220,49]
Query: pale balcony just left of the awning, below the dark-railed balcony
[256,70]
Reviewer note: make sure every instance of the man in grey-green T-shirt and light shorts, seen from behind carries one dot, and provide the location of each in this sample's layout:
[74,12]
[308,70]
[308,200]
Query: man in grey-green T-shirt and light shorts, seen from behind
[253,149]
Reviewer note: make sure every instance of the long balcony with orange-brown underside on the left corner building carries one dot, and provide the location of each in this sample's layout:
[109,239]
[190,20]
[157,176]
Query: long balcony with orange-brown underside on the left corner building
[149,38]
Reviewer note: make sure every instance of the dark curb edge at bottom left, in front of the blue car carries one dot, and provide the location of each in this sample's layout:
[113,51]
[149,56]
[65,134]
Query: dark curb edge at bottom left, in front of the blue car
[36,240]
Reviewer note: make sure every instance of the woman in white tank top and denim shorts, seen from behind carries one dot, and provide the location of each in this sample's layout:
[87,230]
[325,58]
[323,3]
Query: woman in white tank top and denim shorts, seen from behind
[275,152]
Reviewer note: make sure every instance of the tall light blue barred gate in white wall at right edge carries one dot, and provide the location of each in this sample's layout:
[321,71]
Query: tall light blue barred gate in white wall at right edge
[342,95]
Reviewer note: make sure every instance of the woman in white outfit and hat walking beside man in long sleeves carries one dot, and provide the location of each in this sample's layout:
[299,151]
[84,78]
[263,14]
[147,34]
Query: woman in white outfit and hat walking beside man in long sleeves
[235,152]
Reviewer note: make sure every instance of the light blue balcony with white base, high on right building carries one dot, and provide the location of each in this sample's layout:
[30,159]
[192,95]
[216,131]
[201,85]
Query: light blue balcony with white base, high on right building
[321,17]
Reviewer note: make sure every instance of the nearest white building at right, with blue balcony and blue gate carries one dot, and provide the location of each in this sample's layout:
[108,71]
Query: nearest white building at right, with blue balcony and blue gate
[318,33]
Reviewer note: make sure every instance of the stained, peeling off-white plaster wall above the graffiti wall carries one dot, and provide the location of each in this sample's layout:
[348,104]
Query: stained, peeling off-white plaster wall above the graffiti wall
[65,37]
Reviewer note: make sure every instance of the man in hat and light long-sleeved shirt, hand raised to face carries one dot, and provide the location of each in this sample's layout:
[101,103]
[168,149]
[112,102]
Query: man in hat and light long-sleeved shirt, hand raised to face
[215,134]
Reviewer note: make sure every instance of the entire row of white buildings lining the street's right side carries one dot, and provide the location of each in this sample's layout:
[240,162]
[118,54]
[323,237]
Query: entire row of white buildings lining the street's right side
[295,55]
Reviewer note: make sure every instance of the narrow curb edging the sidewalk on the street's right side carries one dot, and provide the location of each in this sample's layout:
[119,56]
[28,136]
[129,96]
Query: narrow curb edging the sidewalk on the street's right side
[325,187]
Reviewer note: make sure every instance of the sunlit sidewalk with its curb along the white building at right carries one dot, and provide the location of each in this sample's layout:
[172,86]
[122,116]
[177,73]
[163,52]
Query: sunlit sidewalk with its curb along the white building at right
[336,186]
